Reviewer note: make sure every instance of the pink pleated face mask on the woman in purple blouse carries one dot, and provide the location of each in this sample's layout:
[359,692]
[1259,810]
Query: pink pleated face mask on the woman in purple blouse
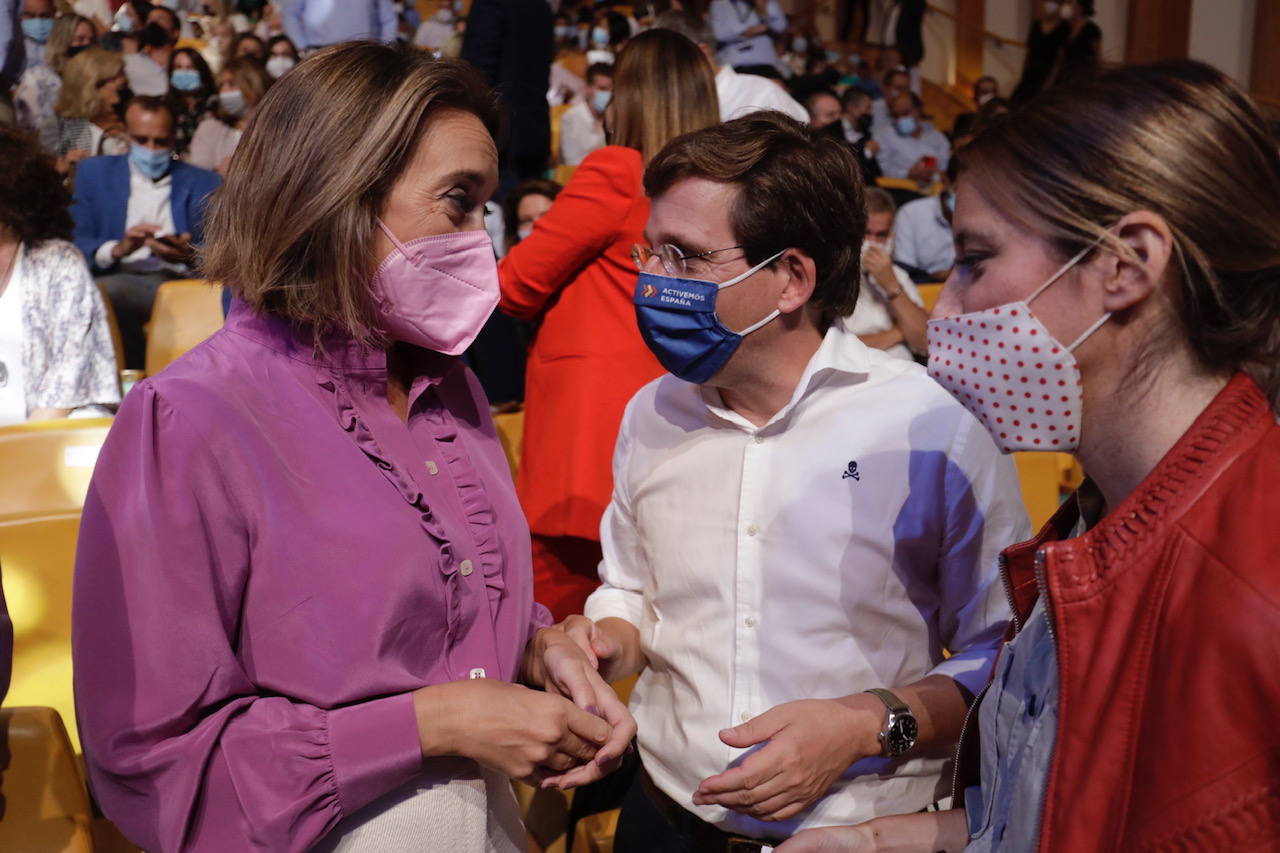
[437,293]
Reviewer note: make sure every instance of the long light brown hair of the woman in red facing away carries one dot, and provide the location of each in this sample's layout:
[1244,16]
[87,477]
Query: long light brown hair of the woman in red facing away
[662,89]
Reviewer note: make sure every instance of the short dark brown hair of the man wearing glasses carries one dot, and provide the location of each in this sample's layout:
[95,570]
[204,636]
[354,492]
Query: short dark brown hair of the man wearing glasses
[797,189]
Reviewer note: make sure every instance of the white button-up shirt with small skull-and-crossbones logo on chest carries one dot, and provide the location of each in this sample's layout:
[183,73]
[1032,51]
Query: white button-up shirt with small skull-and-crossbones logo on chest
[840,548]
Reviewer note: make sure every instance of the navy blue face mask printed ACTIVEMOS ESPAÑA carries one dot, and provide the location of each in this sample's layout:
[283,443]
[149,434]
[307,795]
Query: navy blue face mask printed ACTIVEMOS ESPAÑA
[679,323]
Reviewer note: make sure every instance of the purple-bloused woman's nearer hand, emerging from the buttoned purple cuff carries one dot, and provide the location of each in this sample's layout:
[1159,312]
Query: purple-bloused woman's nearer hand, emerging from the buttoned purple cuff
[525,735]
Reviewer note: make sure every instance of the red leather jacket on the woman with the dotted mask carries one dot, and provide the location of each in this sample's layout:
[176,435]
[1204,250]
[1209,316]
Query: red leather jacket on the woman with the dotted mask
[1167,623]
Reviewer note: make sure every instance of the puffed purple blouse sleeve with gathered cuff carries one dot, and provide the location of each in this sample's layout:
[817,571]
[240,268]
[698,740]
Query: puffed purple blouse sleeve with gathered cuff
[184,751]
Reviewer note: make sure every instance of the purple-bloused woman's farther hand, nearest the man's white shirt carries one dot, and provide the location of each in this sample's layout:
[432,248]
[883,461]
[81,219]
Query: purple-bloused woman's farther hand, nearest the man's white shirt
[557,664]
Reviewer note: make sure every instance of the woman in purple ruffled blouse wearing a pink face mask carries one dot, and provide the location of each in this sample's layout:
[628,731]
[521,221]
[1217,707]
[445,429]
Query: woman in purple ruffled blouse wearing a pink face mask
[304,606]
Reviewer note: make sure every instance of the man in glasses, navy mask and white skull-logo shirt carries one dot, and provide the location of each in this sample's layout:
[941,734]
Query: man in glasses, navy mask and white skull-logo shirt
[801,526]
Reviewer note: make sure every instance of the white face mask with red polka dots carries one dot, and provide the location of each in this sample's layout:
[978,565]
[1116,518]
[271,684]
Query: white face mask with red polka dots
[1017,380]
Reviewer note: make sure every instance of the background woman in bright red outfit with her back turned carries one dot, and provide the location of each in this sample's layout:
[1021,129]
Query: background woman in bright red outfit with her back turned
[574,277]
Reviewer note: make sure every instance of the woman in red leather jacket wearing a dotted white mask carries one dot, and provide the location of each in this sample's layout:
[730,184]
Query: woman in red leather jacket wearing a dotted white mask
[1117,295]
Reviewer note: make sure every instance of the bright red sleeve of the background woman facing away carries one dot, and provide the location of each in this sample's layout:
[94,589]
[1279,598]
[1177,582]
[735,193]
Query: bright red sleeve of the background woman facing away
[582,223]
